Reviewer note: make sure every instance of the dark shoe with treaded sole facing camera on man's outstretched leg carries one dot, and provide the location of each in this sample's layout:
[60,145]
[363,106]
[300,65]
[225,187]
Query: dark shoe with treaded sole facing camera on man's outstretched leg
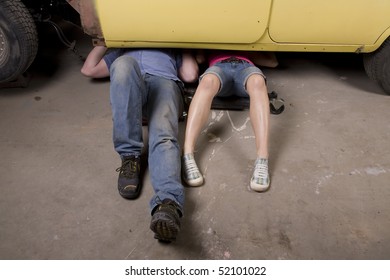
[164,227]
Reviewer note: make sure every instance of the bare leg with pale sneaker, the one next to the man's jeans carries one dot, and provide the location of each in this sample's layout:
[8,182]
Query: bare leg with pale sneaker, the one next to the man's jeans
[198,114]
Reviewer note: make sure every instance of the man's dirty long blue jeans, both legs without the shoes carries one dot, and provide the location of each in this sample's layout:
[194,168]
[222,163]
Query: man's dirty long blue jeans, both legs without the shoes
[133,95]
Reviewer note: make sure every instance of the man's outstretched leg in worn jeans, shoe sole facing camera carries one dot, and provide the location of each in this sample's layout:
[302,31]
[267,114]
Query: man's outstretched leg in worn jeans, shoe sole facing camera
[165,105]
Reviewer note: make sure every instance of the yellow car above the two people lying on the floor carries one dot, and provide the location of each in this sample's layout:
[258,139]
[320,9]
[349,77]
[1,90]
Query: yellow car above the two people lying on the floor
[353,26]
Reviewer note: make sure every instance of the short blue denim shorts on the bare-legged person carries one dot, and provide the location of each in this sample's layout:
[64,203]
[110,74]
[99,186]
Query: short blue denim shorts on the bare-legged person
[233,77]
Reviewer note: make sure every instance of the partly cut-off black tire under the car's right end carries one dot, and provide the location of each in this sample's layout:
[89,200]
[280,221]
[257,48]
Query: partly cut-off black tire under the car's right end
[377,66]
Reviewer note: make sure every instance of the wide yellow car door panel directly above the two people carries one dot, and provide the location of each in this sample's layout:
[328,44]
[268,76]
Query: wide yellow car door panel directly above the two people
[195,21]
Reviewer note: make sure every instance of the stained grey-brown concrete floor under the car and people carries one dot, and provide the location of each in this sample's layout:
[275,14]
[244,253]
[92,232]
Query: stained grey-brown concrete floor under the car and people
[330,169]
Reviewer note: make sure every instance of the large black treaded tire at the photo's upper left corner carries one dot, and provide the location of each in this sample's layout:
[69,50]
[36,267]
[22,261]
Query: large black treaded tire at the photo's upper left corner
[18,39]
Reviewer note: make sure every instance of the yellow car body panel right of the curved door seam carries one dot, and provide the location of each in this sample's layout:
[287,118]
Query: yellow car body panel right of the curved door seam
[344,22]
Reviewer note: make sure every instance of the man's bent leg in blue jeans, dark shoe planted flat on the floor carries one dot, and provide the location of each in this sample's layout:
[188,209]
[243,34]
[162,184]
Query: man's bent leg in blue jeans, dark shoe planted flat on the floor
[127,91]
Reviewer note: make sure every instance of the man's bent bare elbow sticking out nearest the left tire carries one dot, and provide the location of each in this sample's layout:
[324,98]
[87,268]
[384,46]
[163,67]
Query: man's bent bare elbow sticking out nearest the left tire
[95,66]
